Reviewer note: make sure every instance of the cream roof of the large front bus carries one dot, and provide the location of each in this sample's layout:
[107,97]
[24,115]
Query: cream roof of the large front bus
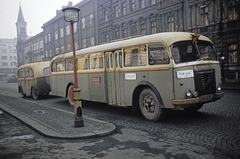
[168,38]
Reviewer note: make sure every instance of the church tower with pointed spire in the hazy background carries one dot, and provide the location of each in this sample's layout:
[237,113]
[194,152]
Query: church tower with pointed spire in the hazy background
[21,36]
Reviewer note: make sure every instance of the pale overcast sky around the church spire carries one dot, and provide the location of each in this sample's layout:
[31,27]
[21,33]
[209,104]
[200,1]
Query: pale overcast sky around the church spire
[35,12]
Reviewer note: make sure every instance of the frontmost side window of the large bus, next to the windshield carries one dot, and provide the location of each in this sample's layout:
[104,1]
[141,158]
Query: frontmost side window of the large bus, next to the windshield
[158,54]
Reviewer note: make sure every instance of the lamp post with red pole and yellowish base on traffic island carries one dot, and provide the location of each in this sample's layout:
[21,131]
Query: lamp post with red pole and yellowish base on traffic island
[71,14]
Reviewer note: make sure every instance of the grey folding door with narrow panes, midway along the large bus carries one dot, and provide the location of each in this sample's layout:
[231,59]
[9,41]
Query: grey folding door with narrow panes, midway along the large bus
[113,78]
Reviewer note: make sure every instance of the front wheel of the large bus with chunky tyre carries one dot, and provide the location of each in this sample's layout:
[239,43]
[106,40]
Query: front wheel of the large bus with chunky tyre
[150,105]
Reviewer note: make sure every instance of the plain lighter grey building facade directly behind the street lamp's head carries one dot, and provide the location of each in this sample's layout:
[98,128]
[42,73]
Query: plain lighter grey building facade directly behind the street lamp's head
[57,32]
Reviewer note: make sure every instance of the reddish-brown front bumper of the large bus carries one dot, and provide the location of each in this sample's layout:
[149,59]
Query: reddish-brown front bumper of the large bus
[201,99]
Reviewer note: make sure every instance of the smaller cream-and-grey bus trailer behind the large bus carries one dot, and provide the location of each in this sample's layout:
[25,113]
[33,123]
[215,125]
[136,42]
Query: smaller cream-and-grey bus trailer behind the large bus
[34,79]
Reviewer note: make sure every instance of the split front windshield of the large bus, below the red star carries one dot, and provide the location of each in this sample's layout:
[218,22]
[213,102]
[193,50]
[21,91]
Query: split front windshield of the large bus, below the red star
[186,51]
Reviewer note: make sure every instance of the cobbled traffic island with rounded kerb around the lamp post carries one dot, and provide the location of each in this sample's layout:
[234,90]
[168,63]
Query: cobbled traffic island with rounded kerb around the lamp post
[56,123]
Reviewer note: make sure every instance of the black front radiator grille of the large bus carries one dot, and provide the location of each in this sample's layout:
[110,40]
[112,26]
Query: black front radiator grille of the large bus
[205,82]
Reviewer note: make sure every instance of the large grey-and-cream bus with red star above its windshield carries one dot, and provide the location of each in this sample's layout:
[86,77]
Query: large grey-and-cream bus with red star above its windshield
[150,73]
